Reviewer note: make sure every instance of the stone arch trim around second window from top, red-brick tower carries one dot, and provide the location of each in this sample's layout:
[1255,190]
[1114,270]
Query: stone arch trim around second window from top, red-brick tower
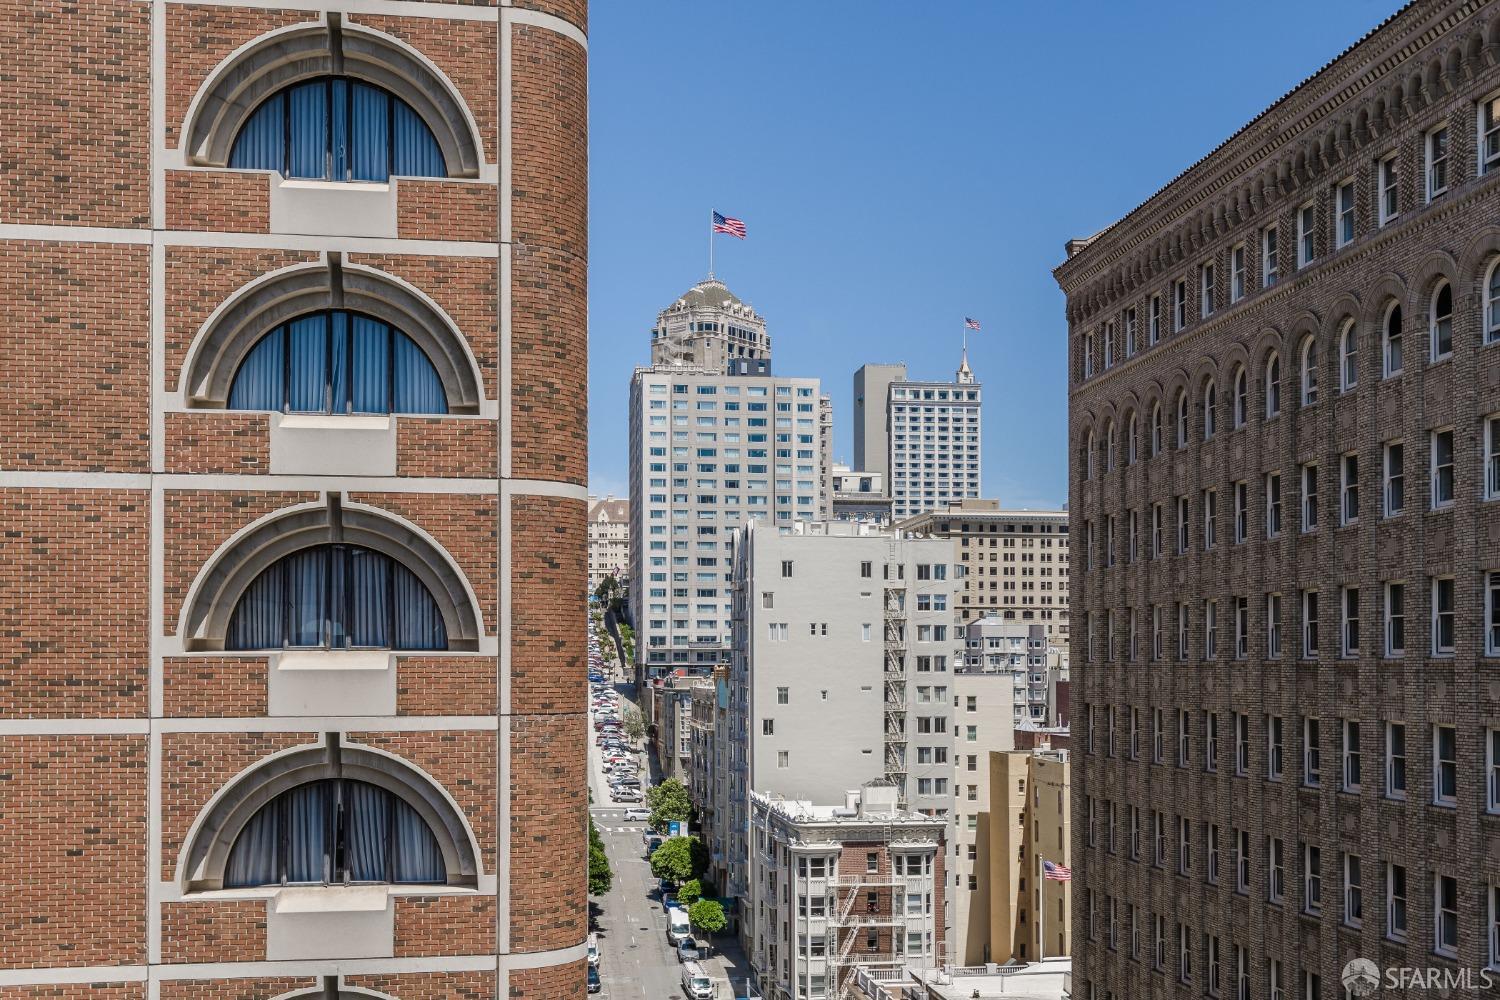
[239,323]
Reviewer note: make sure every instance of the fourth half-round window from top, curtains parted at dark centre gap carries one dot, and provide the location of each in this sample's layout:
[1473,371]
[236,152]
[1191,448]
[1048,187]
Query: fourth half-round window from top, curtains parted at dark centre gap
[335,833]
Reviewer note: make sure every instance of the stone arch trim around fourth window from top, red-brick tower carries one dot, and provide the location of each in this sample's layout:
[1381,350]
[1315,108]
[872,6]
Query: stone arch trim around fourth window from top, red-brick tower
[206,849]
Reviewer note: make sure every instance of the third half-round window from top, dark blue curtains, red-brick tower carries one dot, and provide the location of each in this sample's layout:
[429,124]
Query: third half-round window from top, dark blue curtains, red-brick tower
[337,597]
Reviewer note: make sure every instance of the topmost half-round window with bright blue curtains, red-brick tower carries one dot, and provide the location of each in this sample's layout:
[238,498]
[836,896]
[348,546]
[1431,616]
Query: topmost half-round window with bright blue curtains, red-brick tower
[338,130]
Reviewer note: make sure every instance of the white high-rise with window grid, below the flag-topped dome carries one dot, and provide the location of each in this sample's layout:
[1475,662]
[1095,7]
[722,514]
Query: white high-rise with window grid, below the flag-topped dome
[709,452]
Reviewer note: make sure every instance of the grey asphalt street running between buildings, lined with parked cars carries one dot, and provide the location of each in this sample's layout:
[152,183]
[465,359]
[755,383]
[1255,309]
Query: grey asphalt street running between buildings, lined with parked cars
[637,962]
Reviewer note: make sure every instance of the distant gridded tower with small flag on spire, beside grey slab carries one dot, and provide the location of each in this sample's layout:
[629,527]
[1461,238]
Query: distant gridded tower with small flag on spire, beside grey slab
[925,439]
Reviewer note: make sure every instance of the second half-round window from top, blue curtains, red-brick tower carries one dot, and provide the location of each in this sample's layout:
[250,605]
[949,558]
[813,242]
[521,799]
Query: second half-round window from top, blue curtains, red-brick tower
[337,362]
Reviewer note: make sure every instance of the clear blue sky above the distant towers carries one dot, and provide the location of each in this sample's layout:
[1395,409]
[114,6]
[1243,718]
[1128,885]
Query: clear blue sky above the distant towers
[902,166]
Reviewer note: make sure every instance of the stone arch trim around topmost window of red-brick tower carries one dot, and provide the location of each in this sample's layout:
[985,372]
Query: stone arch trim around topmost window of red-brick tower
[290,55]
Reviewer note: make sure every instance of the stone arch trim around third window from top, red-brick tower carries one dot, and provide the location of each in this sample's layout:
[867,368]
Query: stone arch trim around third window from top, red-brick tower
[205,615]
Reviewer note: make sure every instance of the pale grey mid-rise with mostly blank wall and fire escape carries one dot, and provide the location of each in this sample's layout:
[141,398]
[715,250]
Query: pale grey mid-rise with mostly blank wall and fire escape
[841,669]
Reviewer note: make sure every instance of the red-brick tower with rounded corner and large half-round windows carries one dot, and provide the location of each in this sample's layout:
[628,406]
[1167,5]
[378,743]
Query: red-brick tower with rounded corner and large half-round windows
[292,472]
